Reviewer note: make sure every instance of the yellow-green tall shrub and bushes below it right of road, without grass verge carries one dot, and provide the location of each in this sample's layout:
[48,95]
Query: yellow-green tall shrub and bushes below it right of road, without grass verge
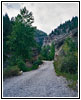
[69,61]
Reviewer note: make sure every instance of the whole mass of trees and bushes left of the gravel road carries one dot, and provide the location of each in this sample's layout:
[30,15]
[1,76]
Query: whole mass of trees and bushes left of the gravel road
[19,44]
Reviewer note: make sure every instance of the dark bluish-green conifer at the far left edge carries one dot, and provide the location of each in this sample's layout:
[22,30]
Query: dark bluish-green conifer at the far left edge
[6,32]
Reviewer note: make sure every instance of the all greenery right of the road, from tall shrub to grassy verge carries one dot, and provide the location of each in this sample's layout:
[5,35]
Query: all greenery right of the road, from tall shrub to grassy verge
[67,62]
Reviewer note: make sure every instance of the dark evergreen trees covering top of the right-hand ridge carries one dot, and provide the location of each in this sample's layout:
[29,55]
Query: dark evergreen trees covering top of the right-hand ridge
[65,27]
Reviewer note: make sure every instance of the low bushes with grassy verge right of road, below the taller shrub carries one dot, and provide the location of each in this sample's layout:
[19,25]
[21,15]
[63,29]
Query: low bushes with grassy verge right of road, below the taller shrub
[67,67]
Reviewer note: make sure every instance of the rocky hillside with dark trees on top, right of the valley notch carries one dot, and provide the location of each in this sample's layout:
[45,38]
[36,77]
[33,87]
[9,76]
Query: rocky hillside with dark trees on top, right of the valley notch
[58,36]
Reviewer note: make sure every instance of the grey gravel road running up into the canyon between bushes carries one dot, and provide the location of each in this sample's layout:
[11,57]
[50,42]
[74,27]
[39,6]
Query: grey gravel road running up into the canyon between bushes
[42,82]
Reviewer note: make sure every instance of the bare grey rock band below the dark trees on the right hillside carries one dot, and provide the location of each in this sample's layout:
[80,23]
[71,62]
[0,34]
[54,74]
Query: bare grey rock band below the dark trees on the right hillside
[59,38]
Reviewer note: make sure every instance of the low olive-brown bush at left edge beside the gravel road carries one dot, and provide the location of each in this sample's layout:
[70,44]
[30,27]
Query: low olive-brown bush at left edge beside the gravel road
[11,71]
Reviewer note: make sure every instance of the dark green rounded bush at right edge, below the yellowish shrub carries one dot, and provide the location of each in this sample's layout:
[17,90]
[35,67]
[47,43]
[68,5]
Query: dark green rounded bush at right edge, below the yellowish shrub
[69,64]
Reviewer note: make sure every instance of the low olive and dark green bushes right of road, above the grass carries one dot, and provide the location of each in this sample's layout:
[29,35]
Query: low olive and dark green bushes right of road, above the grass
[67,64]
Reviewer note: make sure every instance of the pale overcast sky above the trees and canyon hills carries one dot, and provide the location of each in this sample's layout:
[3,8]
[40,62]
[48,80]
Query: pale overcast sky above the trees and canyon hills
[47,16]
